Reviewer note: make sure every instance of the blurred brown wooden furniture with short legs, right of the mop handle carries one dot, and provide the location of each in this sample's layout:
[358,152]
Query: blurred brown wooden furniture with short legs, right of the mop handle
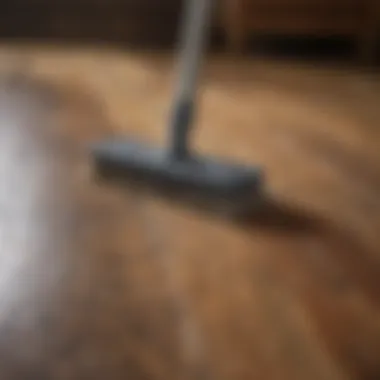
[354,18]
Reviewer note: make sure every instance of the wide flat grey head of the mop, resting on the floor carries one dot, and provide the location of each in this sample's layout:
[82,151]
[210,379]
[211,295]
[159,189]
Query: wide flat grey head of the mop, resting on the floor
[118,159]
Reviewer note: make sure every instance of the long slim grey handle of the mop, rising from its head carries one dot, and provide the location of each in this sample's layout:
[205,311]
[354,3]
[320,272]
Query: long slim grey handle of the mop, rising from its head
[196,19]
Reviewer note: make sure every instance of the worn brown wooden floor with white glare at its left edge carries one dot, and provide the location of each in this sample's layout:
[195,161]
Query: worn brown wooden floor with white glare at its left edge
[98,282]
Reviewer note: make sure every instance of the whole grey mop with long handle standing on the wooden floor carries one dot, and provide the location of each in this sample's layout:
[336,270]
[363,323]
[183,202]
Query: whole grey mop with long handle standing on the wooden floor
[177,165]
